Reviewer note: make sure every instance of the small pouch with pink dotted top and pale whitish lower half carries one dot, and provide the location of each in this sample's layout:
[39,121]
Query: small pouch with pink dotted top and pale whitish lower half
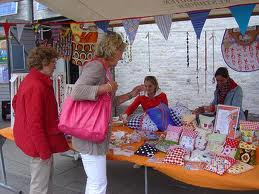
[187,139]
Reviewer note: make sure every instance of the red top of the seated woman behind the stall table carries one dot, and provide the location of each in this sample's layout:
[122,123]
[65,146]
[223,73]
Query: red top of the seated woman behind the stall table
[147,102]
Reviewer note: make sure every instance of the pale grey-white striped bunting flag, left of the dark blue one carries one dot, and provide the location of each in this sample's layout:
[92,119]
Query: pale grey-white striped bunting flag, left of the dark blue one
[164,24]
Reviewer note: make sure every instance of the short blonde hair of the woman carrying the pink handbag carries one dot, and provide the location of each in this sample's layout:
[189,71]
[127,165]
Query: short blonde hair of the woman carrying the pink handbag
[108,46]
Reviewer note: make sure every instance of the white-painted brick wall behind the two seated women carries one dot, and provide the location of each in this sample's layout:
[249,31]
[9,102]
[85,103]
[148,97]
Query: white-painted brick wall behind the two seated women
[168,64]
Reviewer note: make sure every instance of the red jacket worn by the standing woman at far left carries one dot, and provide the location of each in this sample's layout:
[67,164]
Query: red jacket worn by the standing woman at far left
[36,118]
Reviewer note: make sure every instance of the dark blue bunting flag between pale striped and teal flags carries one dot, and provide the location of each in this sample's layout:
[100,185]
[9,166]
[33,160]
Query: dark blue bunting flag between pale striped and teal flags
[198,19]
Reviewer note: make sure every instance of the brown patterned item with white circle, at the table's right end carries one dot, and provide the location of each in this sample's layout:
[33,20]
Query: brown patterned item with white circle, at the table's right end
[246,153]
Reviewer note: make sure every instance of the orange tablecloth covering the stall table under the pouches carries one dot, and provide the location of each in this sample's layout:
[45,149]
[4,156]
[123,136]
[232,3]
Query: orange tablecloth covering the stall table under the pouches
[201,178]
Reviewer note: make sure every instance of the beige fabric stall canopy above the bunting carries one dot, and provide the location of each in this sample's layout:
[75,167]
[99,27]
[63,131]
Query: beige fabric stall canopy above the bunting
[116,10]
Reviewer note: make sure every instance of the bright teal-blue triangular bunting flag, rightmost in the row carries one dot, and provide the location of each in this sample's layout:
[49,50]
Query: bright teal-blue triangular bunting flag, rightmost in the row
[242,15]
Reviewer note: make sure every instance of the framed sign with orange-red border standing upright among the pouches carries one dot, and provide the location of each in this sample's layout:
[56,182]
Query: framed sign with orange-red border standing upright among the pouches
[227,120]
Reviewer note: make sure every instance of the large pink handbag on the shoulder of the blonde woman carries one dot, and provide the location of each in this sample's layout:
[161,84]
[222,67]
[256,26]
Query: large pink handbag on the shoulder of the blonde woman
[87,120]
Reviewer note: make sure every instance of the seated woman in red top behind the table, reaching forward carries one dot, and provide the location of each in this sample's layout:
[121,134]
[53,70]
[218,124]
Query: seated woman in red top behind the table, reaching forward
[153,97]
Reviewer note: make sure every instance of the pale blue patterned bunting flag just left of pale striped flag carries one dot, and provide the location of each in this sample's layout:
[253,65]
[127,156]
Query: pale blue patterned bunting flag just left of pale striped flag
[131,28]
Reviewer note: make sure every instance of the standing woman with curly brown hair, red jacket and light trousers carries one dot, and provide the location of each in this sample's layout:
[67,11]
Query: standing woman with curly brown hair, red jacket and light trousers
[36,119]
